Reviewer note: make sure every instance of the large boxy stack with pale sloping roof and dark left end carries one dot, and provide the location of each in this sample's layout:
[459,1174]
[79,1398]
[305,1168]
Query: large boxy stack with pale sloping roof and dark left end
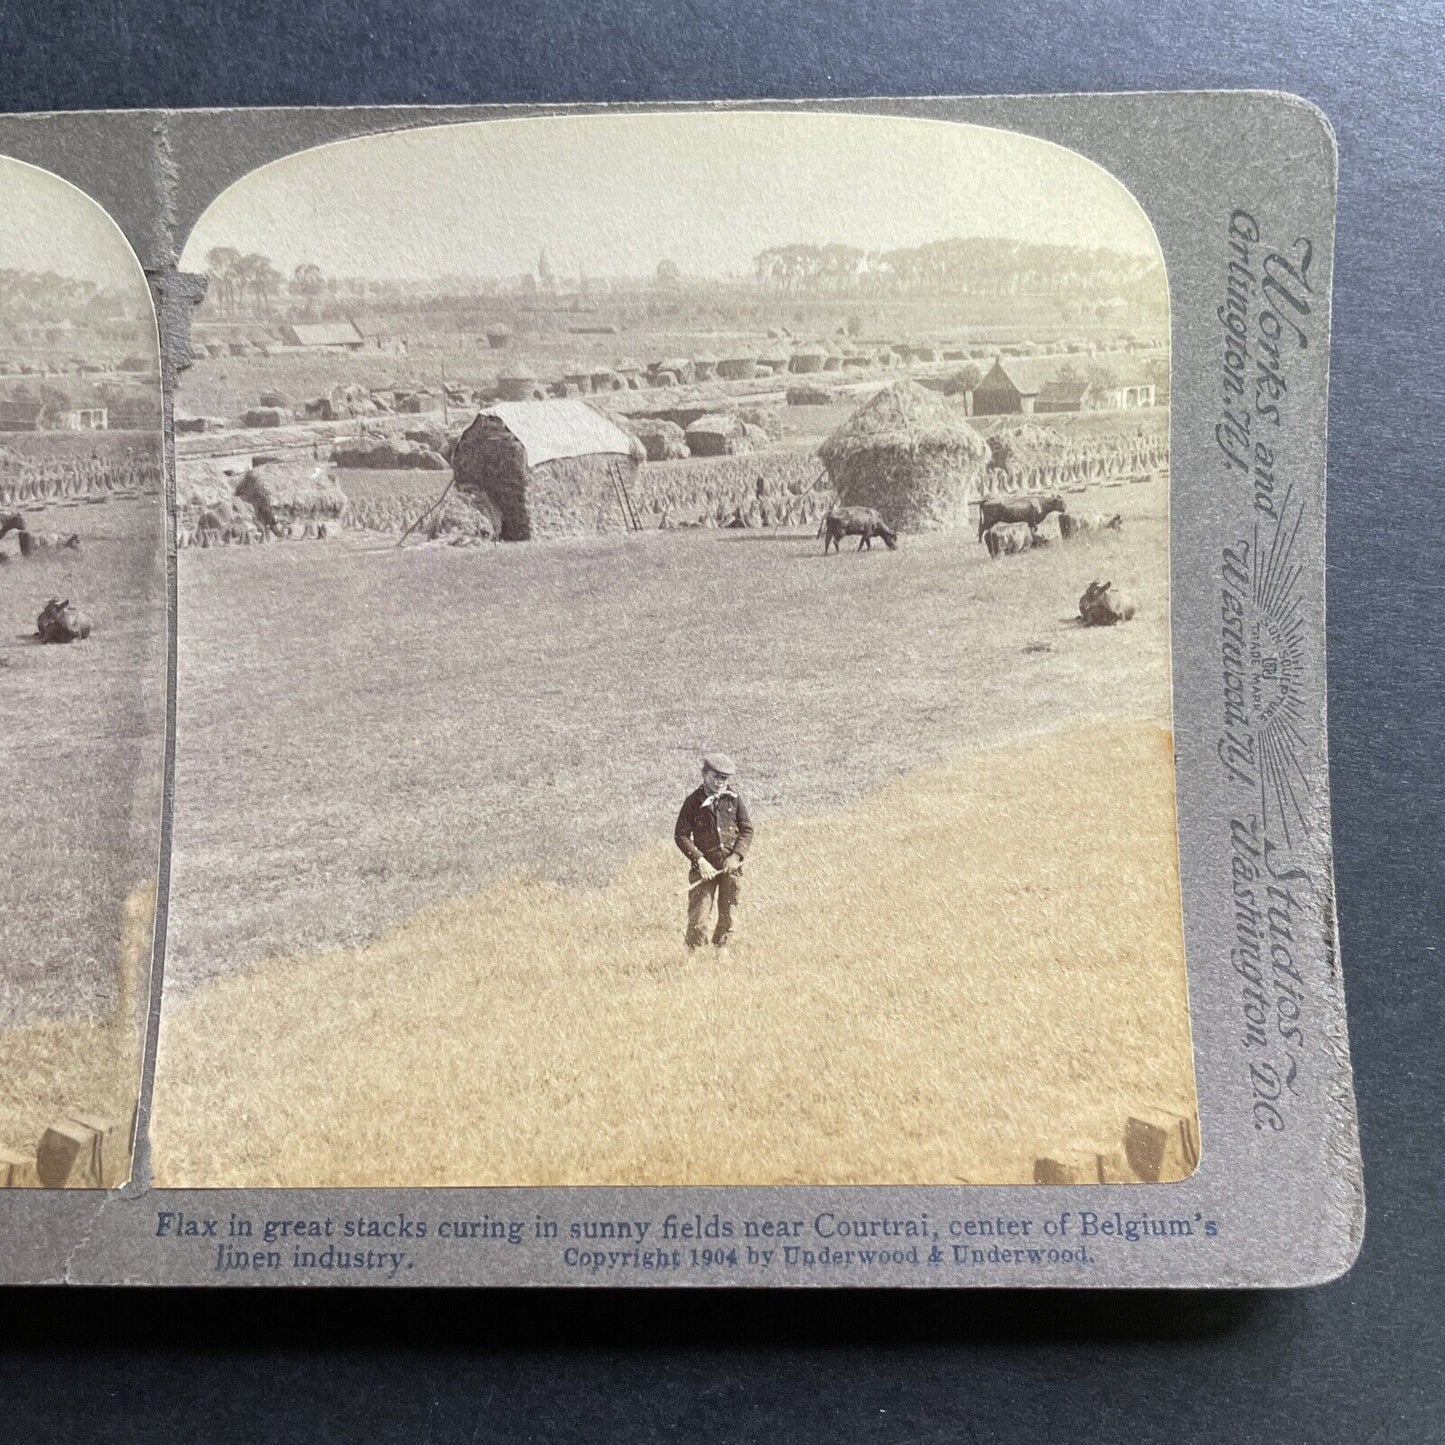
[550,469]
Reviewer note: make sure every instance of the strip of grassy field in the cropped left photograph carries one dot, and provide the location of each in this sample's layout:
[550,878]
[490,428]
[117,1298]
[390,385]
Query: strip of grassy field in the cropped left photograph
[80,806]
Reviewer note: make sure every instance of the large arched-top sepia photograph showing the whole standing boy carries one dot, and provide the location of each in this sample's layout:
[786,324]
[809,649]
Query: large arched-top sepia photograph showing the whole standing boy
[674,665]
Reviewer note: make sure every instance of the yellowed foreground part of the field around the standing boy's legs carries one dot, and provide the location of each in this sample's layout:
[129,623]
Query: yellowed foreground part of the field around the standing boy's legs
[972,967]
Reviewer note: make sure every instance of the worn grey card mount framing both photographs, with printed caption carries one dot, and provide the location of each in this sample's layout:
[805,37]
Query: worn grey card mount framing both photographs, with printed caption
[1287,1204]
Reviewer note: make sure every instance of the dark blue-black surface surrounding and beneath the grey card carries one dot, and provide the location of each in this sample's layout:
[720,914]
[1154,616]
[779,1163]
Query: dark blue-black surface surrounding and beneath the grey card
[1355,1362]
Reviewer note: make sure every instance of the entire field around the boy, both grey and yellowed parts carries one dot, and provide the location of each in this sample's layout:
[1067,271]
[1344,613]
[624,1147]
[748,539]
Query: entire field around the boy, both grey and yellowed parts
[426,924]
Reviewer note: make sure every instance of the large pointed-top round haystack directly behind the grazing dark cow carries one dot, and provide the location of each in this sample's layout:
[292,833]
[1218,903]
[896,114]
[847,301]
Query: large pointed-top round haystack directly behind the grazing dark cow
[910,454]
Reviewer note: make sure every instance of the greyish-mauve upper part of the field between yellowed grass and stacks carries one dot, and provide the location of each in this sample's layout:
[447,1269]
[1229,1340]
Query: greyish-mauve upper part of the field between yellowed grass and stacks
[365,730]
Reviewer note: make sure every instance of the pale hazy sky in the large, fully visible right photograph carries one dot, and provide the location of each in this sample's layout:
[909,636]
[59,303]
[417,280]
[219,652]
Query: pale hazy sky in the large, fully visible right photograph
[618,193]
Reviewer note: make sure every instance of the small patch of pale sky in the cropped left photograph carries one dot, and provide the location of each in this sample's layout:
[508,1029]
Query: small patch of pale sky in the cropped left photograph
[47,225]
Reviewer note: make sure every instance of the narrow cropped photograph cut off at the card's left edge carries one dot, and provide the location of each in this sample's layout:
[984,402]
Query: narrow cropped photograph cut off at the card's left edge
[83,644]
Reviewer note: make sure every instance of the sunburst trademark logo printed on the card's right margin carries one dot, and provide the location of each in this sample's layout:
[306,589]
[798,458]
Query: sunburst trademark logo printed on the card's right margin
[1262,629]
